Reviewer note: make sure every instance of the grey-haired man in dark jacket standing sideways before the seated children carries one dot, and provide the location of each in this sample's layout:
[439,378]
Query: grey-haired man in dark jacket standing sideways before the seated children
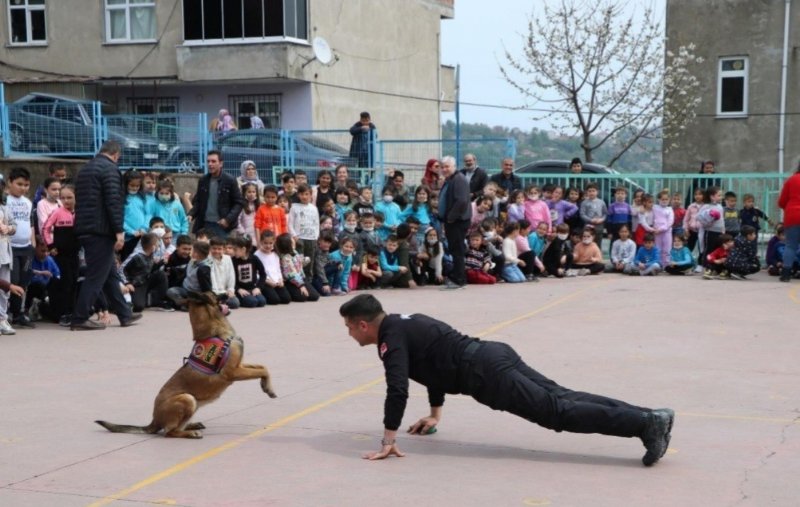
[455,212]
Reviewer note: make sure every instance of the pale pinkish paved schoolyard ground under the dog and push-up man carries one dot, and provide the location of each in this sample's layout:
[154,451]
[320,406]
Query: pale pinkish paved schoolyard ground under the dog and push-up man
[723,354]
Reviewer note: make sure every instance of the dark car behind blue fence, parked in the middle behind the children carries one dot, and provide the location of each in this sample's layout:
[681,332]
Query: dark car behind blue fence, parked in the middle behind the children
[264,147]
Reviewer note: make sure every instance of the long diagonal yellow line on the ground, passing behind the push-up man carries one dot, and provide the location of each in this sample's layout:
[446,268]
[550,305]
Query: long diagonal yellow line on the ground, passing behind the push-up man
[310,410]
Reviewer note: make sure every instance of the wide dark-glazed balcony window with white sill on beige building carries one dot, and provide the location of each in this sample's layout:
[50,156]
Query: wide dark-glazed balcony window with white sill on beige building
[244,20]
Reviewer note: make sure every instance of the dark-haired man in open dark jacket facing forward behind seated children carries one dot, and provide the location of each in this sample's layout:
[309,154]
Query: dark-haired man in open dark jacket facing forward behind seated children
[218,201]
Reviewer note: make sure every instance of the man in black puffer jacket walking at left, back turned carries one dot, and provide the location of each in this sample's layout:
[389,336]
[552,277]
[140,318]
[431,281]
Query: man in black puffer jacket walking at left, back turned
[99,208]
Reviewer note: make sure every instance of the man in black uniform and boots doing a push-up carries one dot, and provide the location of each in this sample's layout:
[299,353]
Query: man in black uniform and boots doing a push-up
[430,352]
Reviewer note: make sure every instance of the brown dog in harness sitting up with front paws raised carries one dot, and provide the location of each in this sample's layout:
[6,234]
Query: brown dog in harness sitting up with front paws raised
[214,364]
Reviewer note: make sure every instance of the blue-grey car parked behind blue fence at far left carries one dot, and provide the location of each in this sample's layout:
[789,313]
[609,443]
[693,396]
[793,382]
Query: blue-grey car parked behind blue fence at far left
[67,127]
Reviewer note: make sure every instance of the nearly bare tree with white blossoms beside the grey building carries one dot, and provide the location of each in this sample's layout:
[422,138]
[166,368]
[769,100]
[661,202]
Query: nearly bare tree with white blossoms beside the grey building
[604,74]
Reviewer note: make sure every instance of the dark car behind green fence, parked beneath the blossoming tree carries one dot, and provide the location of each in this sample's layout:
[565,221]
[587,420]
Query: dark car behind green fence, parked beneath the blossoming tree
[608,179]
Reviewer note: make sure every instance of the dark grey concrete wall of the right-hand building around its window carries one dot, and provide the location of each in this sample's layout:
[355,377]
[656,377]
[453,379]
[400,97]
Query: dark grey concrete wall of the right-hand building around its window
[737,28]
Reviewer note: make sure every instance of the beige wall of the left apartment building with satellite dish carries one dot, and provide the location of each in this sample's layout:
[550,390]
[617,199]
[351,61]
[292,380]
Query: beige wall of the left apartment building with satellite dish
[387,62]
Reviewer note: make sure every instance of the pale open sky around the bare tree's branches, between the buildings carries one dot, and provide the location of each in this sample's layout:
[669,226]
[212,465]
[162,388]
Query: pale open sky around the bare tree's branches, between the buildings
[475,39]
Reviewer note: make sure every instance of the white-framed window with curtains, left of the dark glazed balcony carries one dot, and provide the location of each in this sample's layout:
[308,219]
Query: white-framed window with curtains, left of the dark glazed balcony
[130,20]
